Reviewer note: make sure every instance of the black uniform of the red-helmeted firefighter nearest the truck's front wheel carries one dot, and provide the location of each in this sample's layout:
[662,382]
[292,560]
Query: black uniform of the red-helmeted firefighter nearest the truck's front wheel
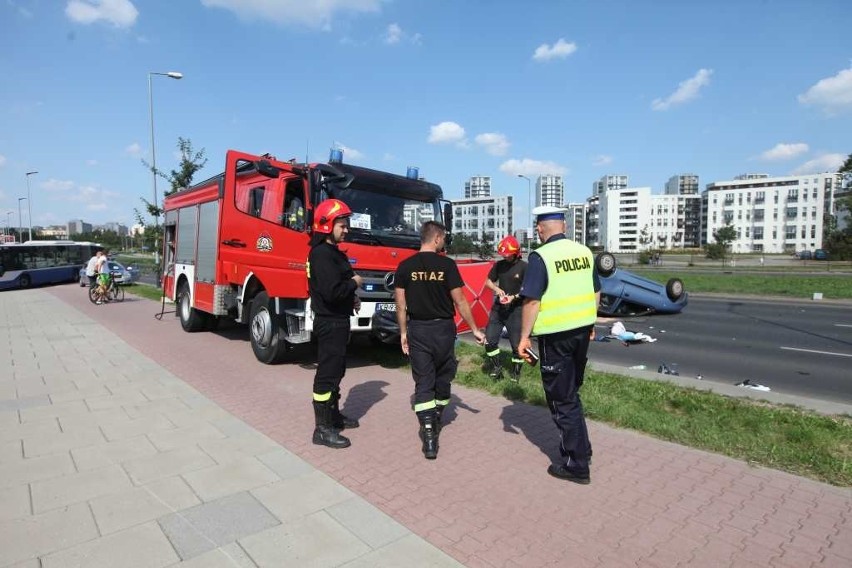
[332,291]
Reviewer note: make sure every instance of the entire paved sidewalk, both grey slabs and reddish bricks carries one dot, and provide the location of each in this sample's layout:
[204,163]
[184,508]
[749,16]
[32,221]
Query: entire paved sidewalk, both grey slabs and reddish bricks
[486,501]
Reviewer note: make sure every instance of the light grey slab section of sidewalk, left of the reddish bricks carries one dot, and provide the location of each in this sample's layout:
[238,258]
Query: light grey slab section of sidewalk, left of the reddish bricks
[107,459]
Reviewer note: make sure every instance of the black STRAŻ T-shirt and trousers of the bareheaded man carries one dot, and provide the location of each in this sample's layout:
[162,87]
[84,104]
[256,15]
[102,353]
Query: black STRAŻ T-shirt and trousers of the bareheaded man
[427,279]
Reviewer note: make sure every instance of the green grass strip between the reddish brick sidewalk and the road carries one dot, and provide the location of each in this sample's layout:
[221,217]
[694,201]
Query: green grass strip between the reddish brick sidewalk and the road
[779,437]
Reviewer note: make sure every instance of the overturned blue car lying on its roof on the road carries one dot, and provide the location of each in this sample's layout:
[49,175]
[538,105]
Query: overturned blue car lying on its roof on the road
[624,293]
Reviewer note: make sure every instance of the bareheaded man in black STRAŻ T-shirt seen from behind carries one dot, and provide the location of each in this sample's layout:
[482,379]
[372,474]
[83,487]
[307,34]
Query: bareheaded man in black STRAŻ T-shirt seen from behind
[428,284]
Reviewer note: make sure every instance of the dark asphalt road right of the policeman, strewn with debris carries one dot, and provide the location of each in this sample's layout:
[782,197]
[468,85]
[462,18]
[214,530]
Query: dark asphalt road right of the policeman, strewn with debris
[793,347]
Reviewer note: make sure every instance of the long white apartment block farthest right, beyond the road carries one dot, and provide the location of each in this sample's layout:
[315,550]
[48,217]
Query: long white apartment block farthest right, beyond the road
[770,214]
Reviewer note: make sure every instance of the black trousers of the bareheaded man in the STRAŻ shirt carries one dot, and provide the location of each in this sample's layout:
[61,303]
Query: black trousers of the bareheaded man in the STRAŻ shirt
[431,349]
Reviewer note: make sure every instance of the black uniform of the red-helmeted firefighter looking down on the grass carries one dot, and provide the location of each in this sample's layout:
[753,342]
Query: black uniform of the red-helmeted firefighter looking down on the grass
[509,275]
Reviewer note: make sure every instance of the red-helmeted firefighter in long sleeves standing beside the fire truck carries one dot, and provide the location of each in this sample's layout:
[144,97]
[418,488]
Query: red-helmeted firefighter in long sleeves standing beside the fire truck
[332,284]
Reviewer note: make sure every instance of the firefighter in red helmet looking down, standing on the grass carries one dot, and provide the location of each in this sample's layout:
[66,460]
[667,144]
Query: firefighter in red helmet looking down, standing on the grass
[505,280]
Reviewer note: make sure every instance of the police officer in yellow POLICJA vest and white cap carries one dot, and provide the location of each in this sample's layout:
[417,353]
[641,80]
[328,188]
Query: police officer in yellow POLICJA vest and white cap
[561,292]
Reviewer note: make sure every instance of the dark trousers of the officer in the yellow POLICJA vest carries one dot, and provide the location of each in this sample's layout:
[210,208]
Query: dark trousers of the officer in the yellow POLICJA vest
[563,363]
